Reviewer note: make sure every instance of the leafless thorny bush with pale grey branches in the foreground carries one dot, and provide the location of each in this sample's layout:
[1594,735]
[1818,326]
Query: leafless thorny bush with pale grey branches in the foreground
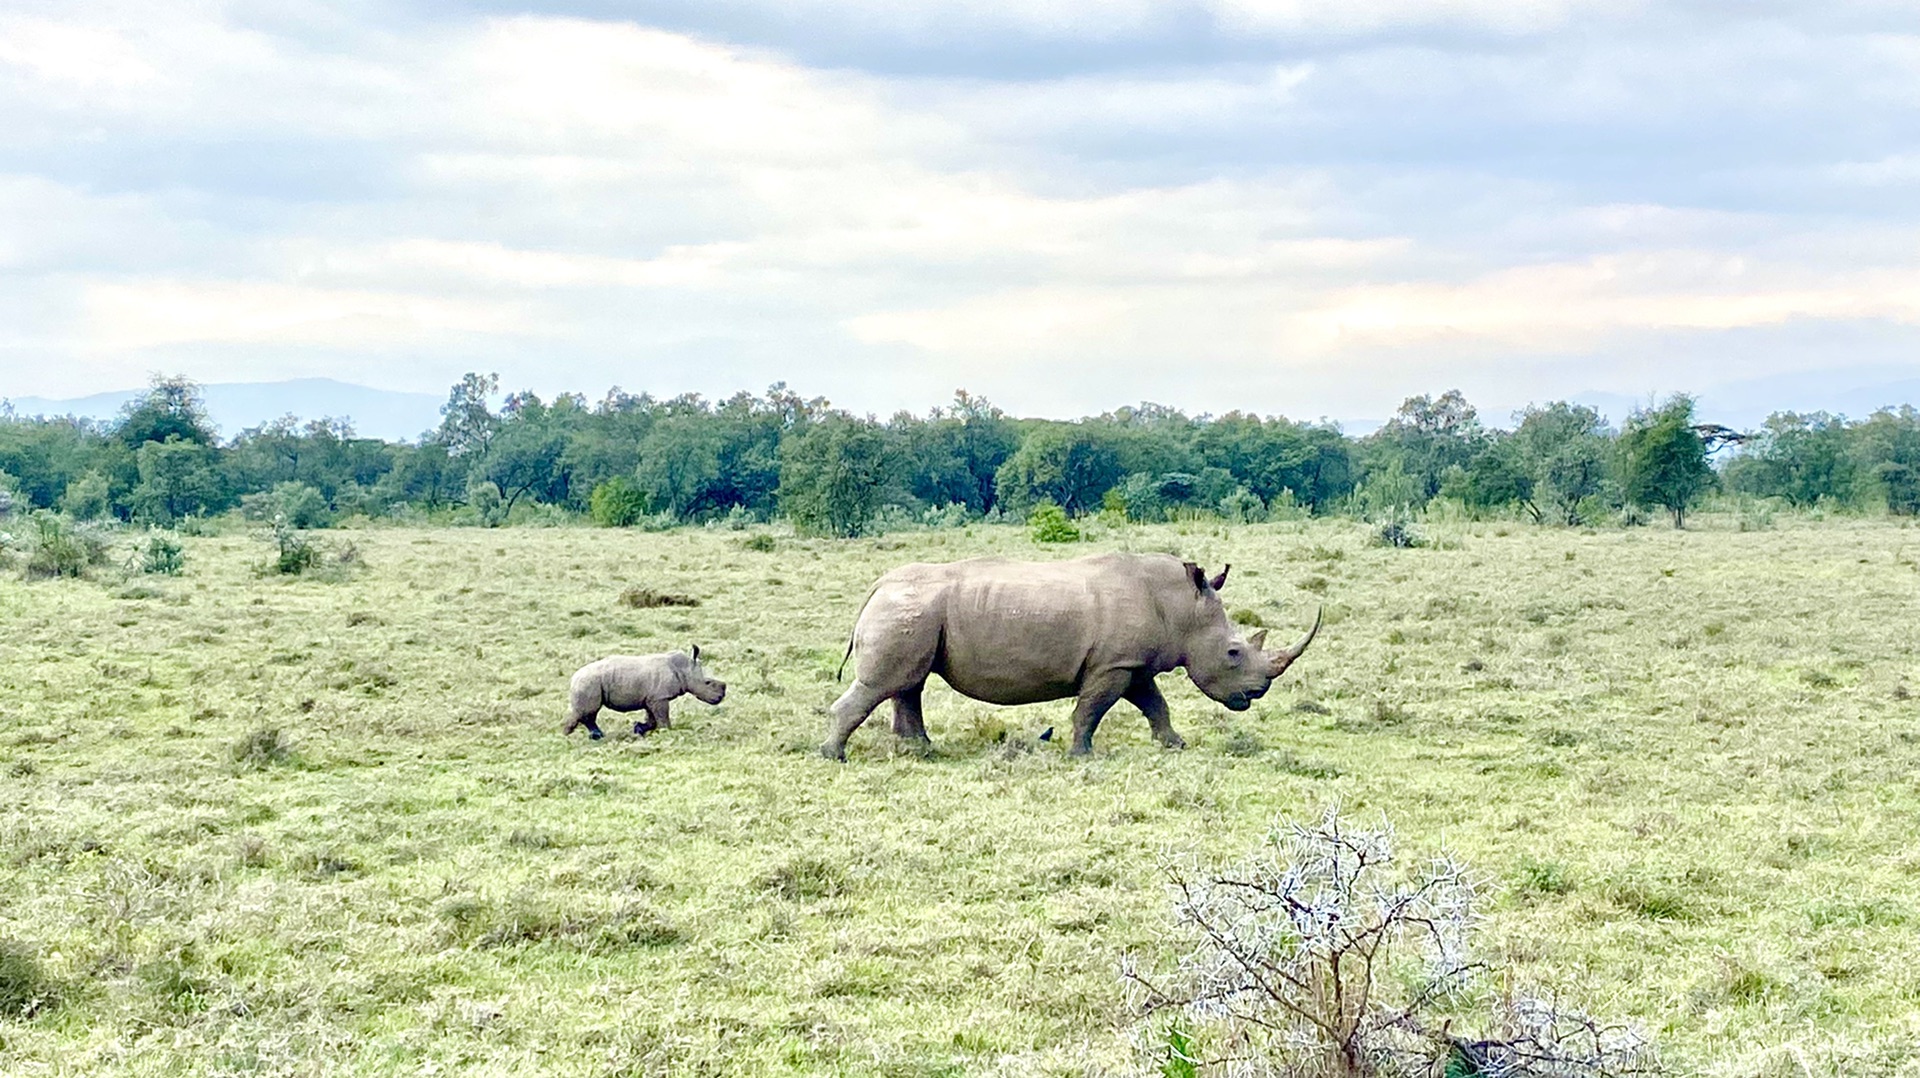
[1318,960]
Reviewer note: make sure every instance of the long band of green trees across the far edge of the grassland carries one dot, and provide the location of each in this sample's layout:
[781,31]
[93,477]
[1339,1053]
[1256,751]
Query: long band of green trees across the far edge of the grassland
[638,460]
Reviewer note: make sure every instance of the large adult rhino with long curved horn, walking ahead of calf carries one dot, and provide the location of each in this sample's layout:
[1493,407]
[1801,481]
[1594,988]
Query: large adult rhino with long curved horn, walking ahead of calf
[1097,629]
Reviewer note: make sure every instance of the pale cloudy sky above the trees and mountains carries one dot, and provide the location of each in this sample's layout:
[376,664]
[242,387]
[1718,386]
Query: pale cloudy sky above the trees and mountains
[1310,208]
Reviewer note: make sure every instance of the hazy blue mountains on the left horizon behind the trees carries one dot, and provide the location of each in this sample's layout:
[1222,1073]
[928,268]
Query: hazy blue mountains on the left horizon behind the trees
[237,406]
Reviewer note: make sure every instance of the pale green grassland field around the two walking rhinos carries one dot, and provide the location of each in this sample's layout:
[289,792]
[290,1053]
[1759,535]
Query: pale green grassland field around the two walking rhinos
[289,825]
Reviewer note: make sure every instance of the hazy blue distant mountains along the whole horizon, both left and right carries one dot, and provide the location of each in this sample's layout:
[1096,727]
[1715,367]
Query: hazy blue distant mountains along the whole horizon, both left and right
[396,416]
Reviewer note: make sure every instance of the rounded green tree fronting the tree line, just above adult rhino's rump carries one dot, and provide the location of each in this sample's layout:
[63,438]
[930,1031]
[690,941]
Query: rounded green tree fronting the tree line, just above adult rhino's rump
[832,476]
